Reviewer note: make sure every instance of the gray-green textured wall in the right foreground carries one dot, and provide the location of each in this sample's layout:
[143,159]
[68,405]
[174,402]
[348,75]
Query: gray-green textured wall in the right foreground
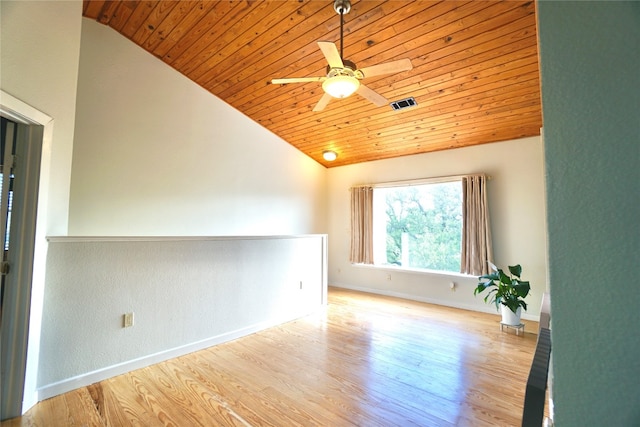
[590,62]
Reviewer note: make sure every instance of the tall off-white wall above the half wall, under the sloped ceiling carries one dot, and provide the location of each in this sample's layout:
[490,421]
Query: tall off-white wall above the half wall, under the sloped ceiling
[155,154]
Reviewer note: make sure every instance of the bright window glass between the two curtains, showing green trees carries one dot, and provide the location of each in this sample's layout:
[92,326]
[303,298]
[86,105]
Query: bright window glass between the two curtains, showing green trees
[418,226]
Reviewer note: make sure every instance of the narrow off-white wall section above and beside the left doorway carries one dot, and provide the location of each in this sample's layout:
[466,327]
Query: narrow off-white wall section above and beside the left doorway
[40,46]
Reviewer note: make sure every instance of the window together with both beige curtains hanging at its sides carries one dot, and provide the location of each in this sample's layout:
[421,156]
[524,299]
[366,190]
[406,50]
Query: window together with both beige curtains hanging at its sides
[440,224]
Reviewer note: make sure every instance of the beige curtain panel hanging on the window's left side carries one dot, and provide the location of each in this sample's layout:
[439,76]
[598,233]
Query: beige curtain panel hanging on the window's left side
[361,225]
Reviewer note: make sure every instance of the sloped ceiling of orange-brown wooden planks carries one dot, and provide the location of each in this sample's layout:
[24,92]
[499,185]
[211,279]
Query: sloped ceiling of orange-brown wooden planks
[475,72]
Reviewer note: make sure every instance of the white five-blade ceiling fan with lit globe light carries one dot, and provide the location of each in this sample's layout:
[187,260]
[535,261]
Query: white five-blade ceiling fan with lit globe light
[343,78]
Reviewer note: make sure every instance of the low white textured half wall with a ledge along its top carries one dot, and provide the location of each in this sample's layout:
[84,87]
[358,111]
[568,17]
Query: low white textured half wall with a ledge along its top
[186,294]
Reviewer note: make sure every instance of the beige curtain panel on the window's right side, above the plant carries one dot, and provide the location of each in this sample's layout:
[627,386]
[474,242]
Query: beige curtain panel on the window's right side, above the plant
[476,234]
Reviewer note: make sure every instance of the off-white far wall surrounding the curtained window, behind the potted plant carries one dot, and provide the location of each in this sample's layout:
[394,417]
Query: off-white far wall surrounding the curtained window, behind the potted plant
[517,213]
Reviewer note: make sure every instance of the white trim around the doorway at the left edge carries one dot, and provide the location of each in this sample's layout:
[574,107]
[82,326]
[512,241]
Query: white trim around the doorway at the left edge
[31,321]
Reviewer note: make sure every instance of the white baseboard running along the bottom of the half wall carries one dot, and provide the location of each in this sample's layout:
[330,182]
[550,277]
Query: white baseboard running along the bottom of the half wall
[67,385]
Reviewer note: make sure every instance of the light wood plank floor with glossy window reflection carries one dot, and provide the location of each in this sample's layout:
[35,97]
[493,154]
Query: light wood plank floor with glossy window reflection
[366,361]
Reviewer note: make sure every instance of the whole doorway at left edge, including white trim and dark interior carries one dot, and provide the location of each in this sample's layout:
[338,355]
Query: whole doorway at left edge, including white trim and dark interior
[22,133]
